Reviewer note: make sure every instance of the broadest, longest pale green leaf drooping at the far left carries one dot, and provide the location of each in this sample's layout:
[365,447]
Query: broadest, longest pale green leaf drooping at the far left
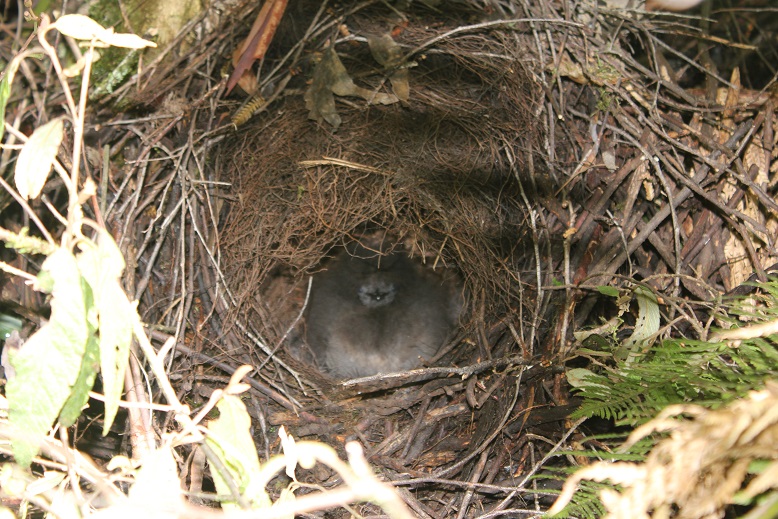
[48,364]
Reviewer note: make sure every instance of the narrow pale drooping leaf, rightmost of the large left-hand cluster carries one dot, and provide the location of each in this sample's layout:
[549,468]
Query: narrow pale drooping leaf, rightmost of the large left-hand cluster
[101,266]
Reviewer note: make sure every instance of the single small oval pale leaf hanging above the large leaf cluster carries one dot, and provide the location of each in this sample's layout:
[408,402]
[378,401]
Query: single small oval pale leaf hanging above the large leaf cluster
[37,157]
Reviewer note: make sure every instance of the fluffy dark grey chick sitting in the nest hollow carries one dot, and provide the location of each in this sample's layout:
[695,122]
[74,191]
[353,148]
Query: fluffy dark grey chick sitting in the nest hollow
[378,313]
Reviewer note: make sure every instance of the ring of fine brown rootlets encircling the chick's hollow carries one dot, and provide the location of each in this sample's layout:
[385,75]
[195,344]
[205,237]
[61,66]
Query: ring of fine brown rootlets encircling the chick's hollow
[448,174]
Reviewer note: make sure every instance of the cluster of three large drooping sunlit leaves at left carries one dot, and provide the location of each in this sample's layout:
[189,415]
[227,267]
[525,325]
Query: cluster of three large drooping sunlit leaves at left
[90,328]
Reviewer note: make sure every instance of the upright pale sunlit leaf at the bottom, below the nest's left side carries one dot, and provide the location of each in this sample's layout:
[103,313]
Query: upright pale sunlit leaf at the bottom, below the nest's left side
[230,438]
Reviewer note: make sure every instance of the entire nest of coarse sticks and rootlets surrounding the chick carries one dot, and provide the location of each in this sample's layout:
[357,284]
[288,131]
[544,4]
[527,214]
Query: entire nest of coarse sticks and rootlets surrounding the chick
[545,149]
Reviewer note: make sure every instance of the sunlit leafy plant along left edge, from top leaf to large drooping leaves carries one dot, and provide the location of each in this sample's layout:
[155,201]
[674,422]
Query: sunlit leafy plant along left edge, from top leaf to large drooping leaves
[91,317]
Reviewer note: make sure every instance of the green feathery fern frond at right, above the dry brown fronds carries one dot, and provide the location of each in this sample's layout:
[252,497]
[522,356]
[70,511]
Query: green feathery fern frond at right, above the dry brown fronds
[680,370]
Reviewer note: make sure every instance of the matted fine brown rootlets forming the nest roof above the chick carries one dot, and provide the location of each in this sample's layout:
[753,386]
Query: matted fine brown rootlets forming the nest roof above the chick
[442,174]
